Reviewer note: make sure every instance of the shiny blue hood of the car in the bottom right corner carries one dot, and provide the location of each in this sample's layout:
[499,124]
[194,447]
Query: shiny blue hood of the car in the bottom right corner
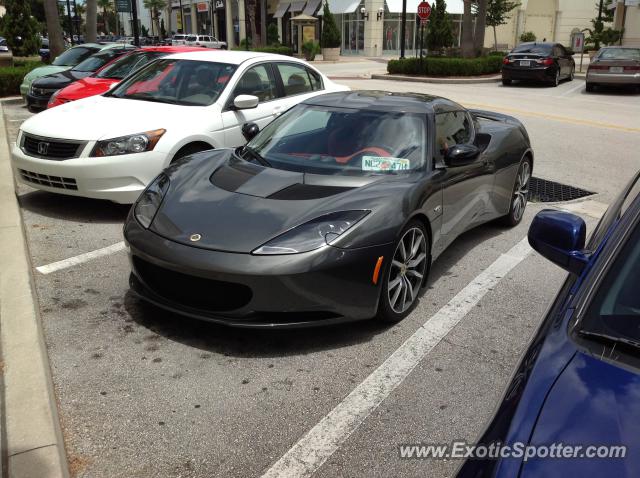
[593,402]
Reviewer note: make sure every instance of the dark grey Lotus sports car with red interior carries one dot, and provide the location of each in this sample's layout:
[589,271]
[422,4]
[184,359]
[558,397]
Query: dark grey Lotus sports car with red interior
[333,212]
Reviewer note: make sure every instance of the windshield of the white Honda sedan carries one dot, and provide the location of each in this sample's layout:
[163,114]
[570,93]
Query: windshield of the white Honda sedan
[180,82]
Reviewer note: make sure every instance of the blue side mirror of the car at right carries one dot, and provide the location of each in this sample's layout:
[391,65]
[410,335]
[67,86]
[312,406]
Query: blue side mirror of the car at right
[560,237]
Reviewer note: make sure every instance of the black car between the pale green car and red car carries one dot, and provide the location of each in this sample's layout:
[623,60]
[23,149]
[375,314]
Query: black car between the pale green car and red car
[42,88]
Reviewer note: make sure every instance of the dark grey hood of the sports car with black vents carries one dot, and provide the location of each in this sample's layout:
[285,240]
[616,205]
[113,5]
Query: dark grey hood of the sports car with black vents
[237,206]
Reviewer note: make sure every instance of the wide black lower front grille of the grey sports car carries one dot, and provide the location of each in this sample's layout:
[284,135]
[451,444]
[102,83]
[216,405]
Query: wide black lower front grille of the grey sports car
[192,291]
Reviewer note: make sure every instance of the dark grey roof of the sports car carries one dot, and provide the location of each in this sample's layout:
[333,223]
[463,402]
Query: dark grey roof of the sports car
[385,101]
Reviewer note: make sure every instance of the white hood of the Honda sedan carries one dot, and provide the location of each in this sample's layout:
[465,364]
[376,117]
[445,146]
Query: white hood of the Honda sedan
[103,117]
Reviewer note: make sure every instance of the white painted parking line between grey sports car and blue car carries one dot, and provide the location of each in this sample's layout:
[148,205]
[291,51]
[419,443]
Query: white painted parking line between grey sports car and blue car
[306,456]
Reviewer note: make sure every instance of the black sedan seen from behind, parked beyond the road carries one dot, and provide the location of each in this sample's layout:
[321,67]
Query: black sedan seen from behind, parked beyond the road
[543,62]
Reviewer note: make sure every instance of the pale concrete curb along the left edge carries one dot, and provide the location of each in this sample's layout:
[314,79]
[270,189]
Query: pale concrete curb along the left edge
[32,441]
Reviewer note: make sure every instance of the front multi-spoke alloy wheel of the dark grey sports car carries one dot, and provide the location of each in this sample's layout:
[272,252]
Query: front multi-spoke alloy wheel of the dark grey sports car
[407,270]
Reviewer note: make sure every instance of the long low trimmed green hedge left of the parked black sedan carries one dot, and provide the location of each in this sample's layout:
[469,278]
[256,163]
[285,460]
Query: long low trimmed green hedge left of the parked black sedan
[438,66]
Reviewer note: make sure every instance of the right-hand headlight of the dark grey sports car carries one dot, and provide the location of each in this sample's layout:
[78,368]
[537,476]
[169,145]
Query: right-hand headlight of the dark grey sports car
[313,234]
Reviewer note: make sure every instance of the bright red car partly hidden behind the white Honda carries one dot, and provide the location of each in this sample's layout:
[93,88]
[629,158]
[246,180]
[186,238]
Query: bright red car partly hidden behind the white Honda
[112,73]
